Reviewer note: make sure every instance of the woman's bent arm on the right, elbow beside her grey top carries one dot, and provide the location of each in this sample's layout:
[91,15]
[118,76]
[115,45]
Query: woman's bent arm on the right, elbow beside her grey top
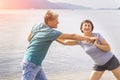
[103,45]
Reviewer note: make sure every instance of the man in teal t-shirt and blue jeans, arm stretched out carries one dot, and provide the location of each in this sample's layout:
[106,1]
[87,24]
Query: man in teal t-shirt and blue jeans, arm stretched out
[40,38]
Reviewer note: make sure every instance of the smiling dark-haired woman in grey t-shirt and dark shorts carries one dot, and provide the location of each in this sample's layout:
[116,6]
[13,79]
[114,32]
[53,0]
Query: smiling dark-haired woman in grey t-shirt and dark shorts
[99,50]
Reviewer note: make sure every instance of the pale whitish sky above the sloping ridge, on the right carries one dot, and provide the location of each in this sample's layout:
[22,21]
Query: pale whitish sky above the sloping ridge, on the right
[93,3]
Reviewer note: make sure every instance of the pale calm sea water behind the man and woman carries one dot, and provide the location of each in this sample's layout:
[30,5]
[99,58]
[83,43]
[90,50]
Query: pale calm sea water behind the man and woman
[61,62]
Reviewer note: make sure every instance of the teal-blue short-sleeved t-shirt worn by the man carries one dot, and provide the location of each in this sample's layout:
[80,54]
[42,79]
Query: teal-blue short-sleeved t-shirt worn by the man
[42,37]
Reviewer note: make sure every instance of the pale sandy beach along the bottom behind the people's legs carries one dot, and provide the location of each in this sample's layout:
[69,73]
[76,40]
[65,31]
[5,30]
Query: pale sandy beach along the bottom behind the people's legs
[70,76]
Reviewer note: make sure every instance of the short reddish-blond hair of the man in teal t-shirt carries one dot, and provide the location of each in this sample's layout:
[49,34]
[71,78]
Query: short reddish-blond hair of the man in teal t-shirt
[50,15]
